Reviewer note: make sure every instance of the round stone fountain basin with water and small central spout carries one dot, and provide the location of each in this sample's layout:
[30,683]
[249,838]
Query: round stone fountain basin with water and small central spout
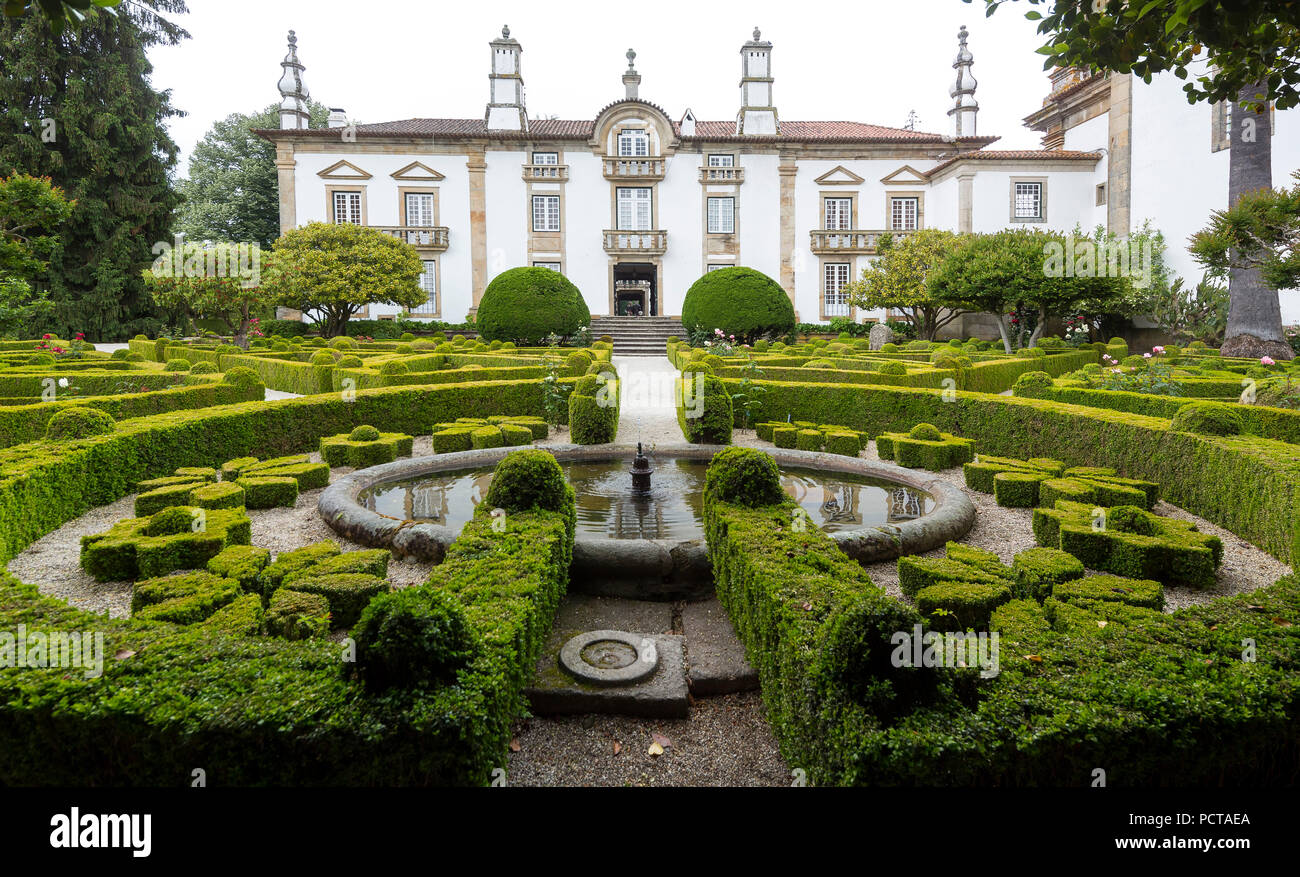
[634,544]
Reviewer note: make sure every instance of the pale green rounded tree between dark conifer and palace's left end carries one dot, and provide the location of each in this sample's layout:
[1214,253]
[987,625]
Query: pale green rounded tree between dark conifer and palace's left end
[233,192]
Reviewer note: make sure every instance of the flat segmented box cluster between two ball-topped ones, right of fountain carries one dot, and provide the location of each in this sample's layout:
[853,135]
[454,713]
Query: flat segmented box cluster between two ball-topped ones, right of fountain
[1026,484]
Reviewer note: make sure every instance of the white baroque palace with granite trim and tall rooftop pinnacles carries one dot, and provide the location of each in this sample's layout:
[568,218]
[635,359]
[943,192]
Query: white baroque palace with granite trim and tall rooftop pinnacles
[635,206]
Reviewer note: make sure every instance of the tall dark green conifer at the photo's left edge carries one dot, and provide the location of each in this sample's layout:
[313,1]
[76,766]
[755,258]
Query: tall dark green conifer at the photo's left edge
[79,107]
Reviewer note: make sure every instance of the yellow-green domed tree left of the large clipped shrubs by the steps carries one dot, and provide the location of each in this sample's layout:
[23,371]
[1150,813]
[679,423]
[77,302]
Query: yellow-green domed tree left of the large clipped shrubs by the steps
[330,272]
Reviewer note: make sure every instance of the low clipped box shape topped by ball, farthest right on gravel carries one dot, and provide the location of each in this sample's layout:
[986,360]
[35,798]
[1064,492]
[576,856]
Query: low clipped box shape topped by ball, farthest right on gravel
[1132,542]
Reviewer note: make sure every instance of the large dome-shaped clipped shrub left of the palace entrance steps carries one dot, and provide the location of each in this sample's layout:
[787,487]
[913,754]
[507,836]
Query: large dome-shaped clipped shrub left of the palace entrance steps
[527,305]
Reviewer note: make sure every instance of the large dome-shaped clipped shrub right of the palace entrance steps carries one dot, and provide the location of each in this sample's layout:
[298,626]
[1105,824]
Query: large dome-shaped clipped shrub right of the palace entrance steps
[739,301]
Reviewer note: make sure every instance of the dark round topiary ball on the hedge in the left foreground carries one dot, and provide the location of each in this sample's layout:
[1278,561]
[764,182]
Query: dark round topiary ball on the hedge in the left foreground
[413,637]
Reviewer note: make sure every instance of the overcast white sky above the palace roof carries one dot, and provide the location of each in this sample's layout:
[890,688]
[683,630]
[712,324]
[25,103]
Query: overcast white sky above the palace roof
[382,60]
